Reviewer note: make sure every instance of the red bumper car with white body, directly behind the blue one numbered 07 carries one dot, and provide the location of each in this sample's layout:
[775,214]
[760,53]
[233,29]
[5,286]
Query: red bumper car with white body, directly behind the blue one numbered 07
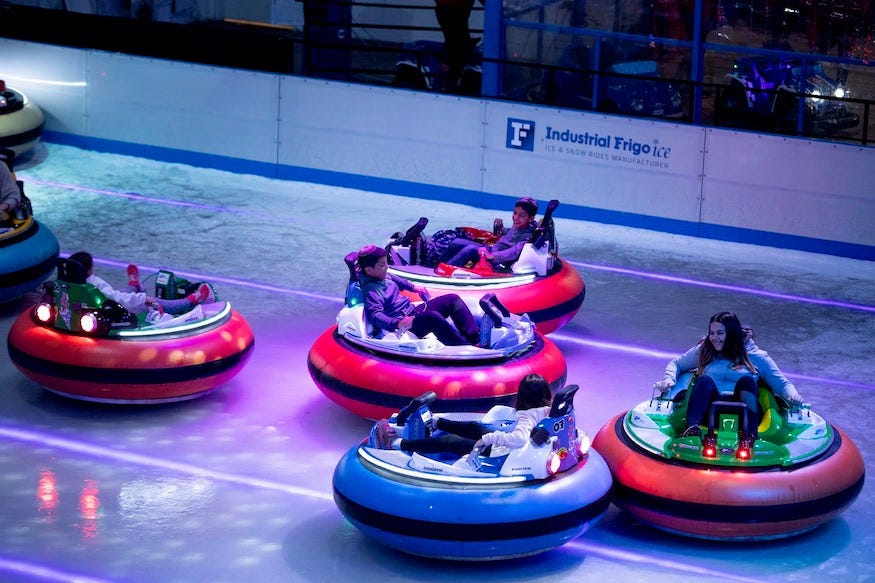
[374,377]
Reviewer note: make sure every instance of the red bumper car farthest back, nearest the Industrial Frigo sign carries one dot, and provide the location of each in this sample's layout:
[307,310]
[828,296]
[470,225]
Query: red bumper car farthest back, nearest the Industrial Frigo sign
[539,284]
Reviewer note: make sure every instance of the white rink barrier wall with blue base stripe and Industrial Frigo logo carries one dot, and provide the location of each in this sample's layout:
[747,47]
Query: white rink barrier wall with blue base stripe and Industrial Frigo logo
[714,183]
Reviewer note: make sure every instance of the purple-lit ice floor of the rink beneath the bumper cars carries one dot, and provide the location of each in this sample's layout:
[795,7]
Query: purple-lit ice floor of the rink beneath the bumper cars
[236,486]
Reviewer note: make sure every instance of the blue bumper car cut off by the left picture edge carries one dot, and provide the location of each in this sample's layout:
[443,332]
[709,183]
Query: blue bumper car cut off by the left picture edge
[28,250]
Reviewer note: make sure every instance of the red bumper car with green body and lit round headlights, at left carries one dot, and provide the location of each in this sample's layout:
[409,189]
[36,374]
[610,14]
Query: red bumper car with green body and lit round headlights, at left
[79,344]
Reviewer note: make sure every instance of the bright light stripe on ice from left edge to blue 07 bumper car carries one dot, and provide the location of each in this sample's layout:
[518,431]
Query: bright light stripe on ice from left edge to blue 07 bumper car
[45,439]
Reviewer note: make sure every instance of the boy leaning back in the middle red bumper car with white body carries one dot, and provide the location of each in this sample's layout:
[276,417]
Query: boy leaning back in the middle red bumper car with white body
[388,310]
